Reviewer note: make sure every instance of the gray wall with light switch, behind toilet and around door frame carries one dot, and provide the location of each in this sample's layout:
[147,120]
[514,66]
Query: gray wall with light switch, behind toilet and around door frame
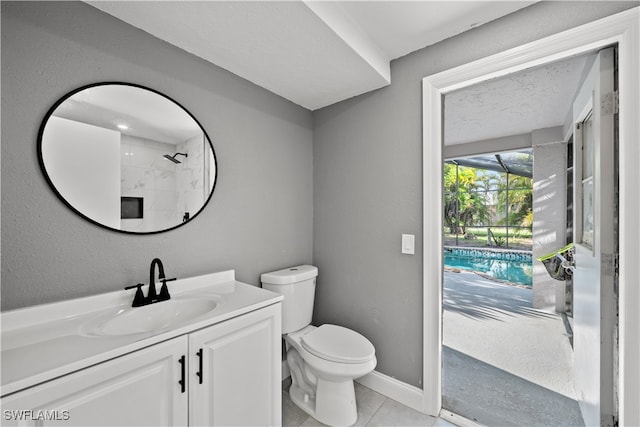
[368,186]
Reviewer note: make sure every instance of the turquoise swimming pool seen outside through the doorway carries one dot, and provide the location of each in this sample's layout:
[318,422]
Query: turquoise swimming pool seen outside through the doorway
[514,267]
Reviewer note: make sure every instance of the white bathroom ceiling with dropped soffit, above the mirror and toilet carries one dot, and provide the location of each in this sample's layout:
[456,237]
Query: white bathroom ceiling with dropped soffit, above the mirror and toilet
[313,53]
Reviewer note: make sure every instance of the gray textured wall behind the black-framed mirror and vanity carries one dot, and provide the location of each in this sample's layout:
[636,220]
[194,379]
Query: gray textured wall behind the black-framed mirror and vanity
[259,218]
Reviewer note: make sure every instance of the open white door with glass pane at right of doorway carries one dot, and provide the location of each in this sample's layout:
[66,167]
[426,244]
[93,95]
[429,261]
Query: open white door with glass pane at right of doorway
[594,237]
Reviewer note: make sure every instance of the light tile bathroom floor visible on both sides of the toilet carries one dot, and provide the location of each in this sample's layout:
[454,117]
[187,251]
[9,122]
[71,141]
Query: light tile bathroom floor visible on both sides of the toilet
[374,409]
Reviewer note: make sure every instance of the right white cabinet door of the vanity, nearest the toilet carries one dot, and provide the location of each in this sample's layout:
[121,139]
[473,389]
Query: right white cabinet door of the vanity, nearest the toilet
[240,362]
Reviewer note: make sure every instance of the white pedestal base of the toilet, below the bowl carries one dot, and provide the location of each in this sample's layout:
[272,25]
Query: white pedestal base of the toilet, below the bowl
[334,403]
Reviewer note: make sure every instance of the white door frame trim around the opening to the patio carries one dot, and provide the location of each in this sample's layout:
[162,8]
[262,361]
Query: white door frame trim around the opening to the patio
[623,29]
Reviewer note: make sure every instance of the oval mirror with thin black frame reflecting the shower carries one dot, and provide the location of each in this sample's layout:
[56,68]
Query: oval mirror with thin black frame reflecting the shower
[127,158]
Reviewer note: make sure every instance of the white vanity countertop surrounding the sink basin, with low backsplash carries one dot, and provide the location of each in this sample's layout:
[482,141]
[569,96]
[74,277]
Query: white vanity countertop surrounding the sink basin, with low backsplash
[43,342]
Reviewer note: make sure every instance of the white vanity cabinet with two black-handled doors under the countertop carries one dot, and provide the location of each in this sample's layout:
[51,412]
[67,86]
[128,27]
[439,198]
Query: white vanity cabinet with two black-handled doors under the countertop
[231,376]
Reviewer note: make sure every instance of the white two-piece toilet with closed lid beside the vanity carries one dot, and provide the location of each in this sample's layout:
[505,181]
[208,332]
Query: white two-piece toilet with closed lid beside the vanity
[323,360]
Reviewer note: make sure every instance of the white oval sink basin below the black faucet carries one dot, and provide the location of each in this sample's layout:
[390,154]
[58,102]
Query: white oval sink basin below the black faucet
[154,317]
